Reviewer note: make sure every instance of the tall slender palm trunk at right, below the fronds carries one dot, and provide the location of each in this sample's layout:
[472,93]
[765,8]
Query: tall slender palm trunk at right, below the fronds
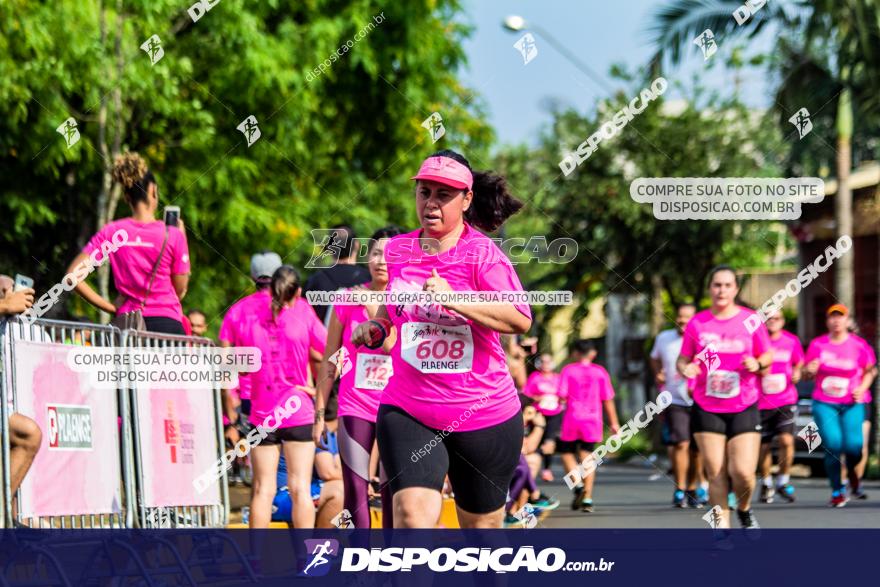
[844,280]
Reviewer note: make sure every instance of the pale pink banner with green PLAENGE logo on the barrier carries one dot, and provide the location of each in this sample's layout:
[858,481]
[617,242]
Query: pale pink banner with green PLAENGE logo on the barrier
[77,469]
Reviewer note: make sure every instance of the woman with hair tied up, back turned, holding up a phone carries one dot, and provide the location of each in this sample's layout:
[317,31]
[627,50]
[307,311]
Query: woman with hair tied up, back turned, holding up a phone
[150,263]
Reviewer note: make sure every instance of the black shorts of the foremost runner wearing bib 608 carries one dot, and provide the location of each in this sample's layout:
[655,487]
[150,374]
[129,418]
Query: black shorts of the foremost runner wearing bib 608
[480,463]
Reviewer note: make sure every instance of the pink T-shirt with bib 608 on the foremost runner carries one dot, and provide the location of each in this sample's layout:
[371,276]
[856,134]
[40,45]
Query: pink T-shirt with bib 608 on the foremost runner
[443,363]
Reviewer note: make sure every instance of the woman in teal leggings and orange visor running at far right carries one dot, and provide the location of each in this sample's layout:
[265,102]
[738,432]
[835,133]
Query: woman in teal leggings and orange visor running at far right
[842,365]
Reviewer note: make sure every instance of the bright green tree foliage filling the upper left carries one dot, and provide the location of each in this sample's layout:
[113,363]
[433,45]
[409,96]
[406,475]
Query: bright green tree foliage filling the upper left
[338,146]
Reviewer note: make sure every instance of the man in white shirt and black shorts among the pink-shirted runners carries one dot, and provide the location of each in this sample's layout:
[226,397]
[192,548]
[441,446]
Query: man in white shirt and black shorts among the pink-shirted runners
[683,457]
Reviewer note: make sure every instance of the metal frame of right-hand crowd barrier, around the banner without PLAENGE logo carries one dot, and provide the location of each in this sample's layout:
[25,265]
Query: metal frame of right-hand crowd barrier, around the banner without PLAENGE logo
[200,516]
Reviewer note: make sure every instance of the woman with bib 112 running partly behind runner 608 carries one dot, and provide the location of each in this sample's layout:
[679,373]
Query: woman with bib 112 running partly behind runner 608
[364,373]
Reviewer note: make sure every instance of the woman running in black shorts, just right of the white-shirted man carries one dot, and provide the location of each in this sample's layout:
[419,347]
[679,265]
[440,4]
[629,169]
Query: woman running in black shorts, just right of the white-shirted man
[725,348]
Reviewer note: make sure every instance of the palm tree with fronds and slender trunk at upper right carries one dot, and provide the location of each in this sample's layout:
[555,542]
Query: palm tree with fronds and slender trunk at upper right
[835,41]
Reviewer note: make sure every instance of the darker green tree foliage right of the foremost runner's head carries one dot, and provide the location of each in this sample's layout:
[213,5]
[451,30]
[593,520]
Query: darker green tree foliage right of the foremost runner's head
[622,246]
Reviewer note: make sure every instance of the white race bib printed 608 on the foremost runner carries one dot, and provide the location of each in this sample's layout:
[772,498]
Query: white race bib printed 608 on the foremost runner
[432,348]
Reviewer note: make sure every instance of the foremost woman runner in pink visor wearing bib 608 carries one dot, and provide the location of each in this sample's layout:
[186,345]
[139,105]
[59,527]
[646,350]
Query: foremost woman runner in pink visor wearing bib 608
[451,405]
